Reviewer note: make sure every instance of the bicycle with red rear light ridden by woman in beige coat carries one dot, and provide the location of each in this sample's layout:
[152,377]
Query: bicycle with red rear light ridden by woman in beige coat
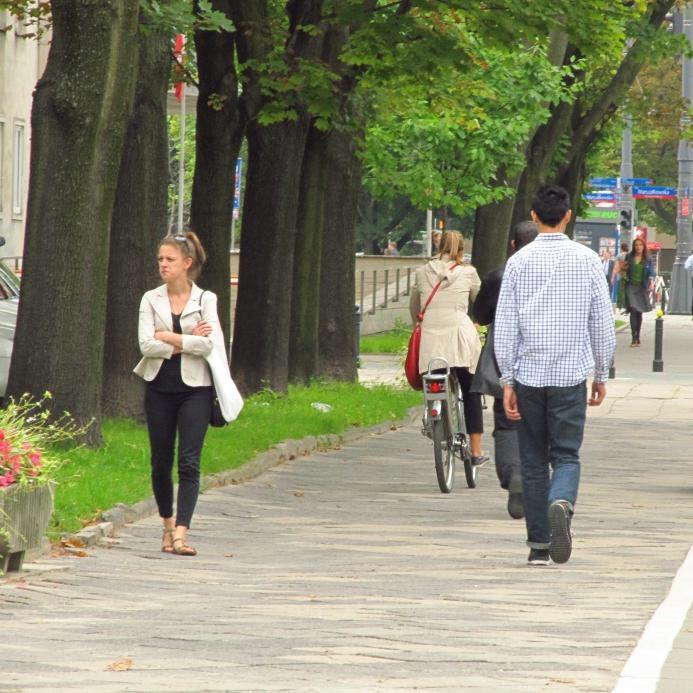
[443,422]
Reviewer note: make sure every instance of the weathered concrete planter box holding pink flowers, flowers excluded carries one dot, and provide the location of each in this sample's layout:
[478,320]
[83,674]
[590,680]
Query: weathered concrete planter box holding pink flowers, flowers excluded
[25,512]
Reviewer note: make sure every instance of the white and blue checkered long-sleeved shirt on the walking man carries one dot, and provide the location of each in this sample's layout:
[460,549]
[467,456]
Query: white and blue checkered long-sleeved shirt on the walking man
[554,323]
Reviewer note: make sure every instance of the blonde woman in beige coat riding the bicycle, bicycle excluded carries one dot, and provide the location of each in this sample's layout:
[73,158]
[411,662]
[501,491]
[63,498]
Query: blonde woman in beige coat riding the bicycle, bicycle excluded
[447,331]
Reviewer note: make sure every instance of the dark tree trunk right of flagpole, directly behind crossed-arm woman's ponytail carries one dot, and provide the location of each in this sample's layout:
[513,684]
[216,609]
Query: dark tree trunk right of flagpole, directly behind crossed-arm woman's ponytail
[219,134]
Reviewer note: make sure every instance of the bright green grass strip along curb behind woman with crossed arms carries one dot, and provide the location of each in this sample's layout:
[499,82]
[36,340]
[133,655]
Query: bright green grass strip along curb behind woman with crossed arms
[96,479]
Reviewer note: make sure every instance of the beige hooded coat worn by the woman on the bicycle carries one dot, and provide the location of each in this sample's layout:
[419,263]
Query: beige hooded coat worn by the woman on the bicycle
[446,330]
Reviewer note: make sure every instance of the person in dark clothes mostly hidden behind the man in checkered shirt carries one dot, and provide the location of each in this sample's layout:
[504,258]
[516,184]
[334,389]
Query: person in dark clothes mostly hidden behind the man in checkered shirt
[507,452]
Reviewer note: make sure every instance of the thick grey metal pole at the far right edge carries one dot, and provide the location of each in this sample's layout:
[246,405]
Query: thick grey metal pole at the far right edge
[681,291]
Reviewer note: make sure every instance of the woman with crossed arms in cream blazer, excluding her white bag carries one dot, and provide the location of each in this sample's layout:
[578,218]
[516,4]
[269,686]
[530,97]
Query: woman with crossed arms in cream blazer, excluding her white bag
[175,336]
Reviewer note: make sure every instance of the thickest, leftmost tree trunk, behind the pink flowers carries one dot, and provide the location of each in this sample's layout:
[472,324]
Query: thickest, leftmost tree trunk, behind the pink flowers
[79,118]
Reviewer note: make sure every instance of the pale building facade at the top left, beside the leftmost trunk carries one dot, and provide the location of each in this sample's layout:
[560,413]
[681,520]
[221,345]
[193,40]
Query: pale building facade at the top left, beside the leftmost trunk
[22,61]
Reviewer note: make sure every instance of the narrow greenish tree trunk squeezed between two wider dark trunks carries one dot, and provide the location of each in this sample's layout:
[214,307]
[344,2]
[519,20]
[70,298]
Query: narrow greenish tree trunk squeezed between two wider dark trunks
[305,298]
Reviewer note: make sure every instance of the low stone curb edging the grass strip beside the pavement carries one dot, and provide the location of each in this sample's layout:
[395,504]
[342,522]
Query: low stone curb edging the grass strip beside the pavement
[121,514]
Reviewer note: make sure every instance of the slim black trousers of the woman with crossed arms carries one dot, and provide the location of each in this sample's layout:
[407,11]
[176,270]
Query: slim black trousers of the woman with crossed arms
[186,413]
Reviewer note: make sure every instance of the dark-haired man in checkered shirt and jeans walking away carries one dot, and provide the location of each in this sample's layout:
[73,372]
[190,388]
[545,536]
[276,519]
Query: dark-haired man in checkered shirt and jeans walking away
[554,328]
